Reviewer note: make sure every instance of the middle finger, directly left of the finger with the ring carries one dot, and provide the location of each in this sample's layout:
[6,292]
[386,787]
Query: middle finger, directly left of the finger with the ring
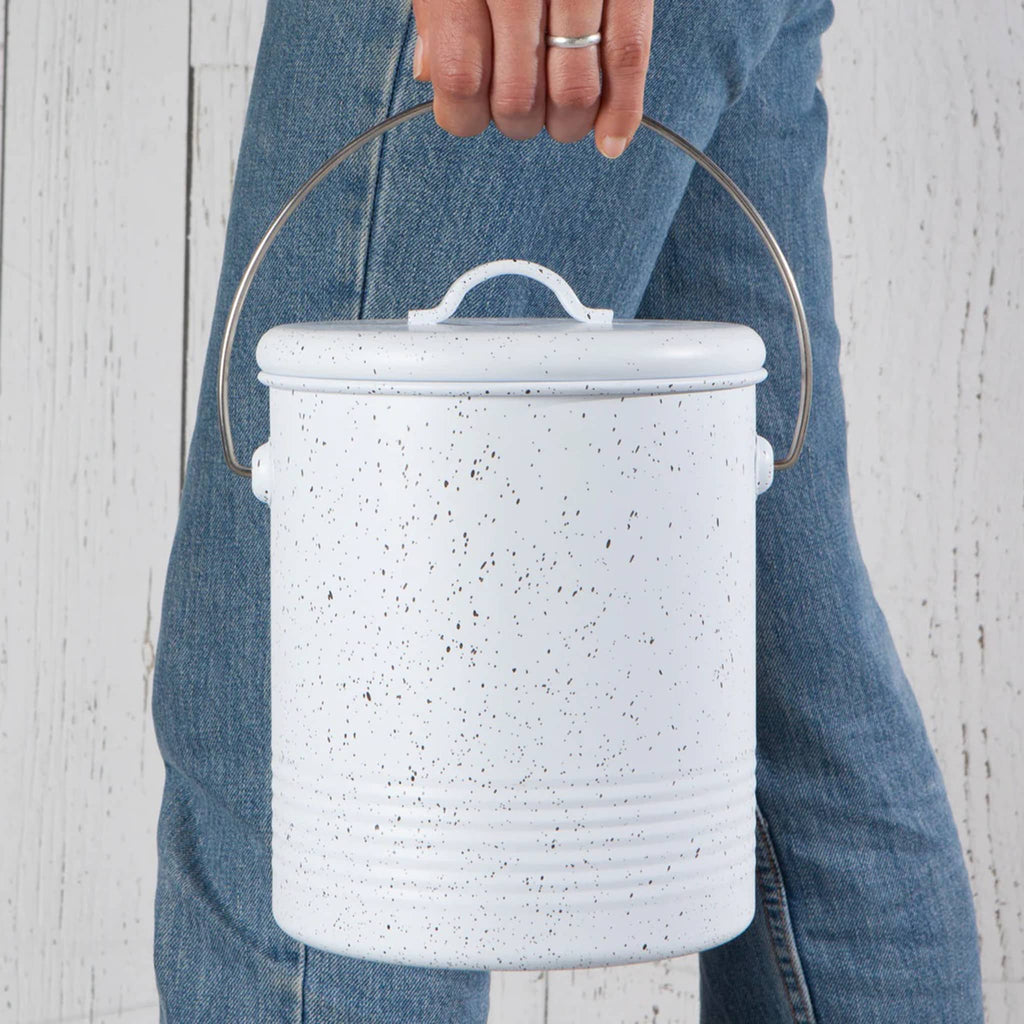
[518,83]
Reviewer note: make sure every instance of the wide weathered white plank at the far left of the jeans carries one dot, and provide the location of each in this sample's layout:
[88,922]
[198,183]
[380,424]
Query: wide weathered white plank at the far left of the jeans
[91,371]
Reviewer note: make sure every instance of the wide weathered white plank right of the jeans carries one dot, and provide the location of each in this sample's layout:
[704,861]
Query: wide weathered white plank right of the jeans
[929,239]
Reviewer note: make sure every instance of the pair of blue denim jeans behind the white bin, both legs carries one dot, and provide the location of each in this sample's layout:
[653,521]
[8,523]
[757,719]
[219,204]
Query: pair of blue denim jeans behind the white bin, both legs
[864,910]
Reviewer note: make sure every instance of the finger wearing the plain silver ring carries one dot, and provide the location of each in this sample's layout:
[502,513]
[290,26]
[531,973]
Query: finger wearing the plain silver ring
[574,75]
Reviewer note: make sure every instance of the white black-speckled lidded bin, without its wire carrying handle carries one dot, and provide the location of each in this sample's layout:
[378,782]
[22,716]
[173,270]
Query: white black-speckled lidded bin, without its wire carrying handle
[513,621]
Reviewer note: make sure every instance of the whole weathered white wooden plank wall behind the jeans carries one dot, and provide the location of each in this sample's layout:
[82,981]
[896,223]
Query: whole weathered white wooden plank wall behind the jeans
[106,298]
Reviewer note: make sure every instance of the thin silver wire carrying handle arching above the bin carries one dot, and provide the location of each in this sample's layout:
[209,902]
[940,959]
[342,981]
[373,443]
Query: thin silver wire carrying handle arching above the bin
[241,293]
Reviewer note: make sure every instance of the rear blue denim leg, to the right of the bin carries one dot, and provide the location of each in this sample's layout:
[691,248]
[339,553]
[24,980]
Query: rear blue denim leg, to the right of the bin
[877,902]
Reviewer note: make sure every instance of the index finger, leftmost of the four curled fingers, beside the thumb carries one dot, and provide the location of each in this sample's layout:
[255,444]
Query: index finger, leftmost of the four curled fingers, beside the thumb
[460,45]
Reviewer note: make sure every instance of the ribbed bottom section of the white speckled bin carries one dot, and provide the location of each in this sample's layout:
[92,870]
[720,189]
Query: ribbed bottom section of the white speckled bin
[505,880]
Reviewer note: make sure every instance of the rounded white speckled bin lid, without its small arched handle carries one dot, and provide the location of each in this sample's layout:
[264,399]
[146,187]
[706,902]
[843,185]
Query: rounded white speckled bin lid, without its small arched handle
[486,351]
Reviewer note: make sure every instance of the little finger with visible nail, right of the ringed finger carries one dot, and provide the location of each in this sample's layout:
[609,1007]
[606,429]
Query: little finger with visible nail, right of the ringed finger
[625,56]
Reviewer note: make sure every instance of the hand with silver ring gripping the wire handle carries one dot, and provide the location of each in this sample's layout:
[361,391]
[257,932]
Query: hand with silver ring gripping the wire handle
[488,60]
